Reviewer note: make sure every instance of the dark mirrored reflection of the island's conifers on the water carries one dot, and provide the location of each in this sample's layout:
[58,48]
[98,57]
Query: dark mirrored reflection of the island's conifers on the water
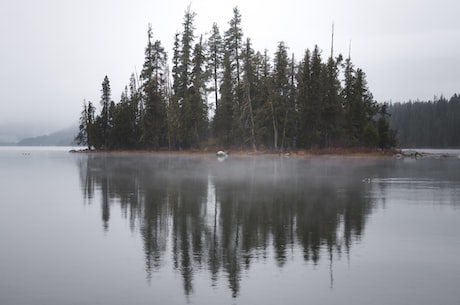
[220,217]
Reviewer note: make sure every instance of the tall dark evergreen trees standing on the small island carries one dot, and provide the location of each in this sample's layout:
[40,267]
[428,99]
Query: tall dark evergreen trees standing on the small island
[220,92]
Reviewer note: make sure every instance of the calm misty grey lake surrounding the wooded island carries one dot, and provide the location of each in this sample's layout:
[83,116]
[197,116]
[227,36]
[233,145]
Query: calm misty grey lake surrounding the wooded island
[175,229]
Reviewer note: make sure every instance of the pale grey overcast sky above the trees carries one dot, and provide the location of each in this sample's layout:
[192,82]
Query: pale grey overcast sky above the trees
[55,53]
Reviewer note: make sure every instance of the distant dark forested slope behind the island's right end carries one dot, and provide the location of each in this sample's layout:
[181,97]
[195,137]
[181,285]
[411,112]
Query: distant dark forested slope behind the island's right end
[427,123]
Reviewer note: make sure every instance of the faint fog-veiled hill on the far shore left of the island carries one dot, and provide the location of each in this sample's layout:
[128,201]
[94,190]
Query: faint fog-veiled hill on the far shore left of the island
[64,137]
